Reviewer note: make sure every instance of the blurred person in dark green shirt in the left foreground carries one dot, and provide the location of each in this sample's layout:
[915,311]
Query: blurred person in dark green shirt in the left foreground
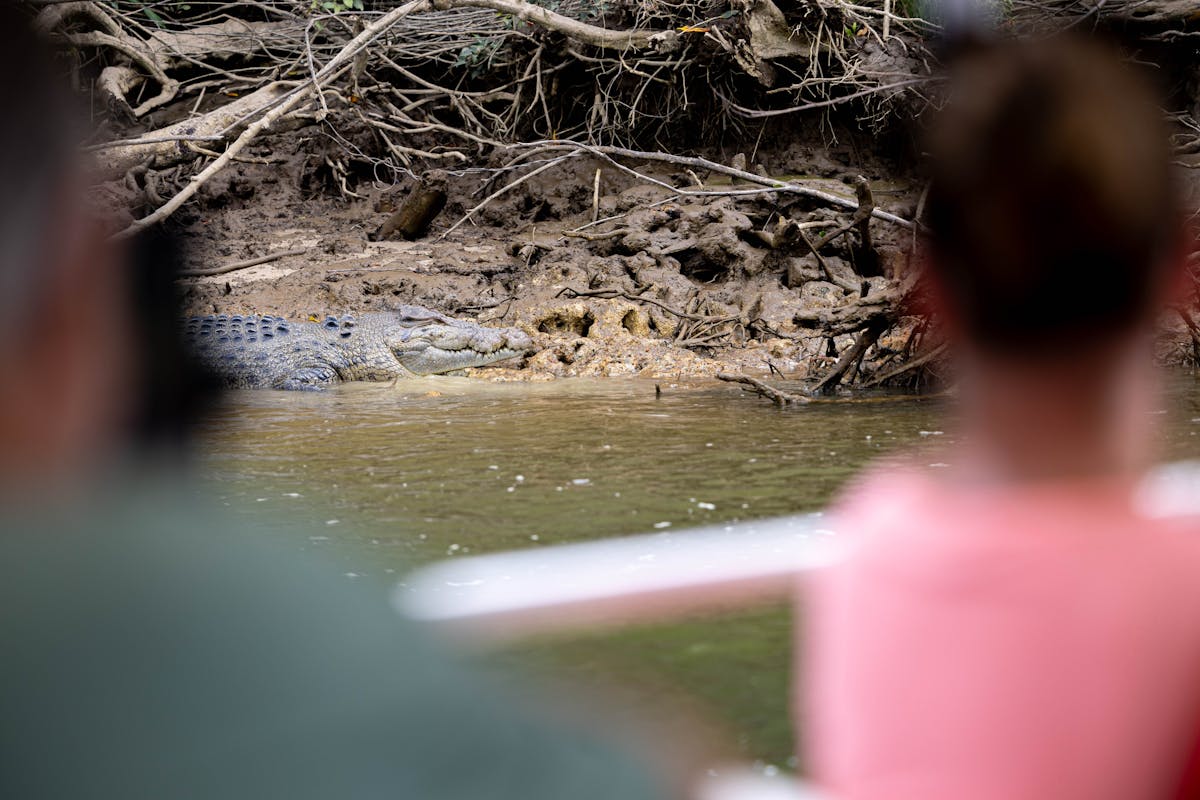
[152,647]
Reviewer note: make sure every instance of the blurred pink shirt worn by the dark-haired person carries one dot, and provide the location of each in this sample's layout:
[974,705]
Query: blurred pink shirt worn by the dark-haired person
[1016,643]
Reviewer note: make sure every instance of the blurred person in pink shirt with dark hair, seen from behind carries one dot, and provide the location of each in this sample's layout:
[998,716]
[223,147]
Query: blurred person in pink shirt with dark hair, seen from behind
[1018,625]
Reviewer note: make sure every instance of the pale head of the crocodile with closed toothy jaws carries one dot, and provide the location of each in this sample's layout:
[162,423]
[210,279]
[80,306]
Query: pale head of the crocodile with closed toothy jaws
[427,342]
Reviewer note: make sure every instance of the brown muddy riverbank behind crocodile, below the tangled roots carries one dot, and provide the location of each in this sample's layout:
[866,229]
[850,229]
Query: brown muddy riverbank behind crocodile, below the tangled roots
[610,276]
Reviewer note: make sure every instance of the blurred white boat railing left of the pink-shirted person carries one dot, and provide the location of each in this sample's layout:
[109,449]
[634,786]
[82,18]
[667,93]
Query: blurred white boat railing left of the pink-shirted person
[491,599]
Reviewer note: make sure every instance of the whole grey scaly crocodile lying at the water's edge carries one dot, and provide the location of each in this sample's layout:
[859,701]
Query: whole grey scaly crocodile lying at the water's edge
[251,352]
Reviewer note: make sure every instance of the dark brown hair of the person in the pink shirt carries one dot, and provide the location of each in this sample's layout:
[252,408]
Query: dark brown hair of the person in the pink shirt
[1053,208]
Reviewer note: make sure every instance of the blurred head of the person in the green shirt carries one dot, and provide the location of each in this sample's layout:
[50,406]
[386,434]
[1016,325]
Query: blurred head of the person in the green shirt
[64,366]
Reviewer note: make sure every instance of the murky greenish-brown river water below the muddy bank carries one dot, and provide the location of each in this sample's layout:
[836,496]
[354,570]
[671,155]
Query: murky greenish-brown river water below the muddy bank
[395,477]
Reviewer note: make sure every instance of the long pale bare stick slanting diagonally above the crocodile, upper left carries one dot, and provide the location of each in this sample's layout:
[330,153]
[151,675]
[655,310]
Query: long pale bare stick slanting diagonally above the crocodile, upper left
[327,75]
